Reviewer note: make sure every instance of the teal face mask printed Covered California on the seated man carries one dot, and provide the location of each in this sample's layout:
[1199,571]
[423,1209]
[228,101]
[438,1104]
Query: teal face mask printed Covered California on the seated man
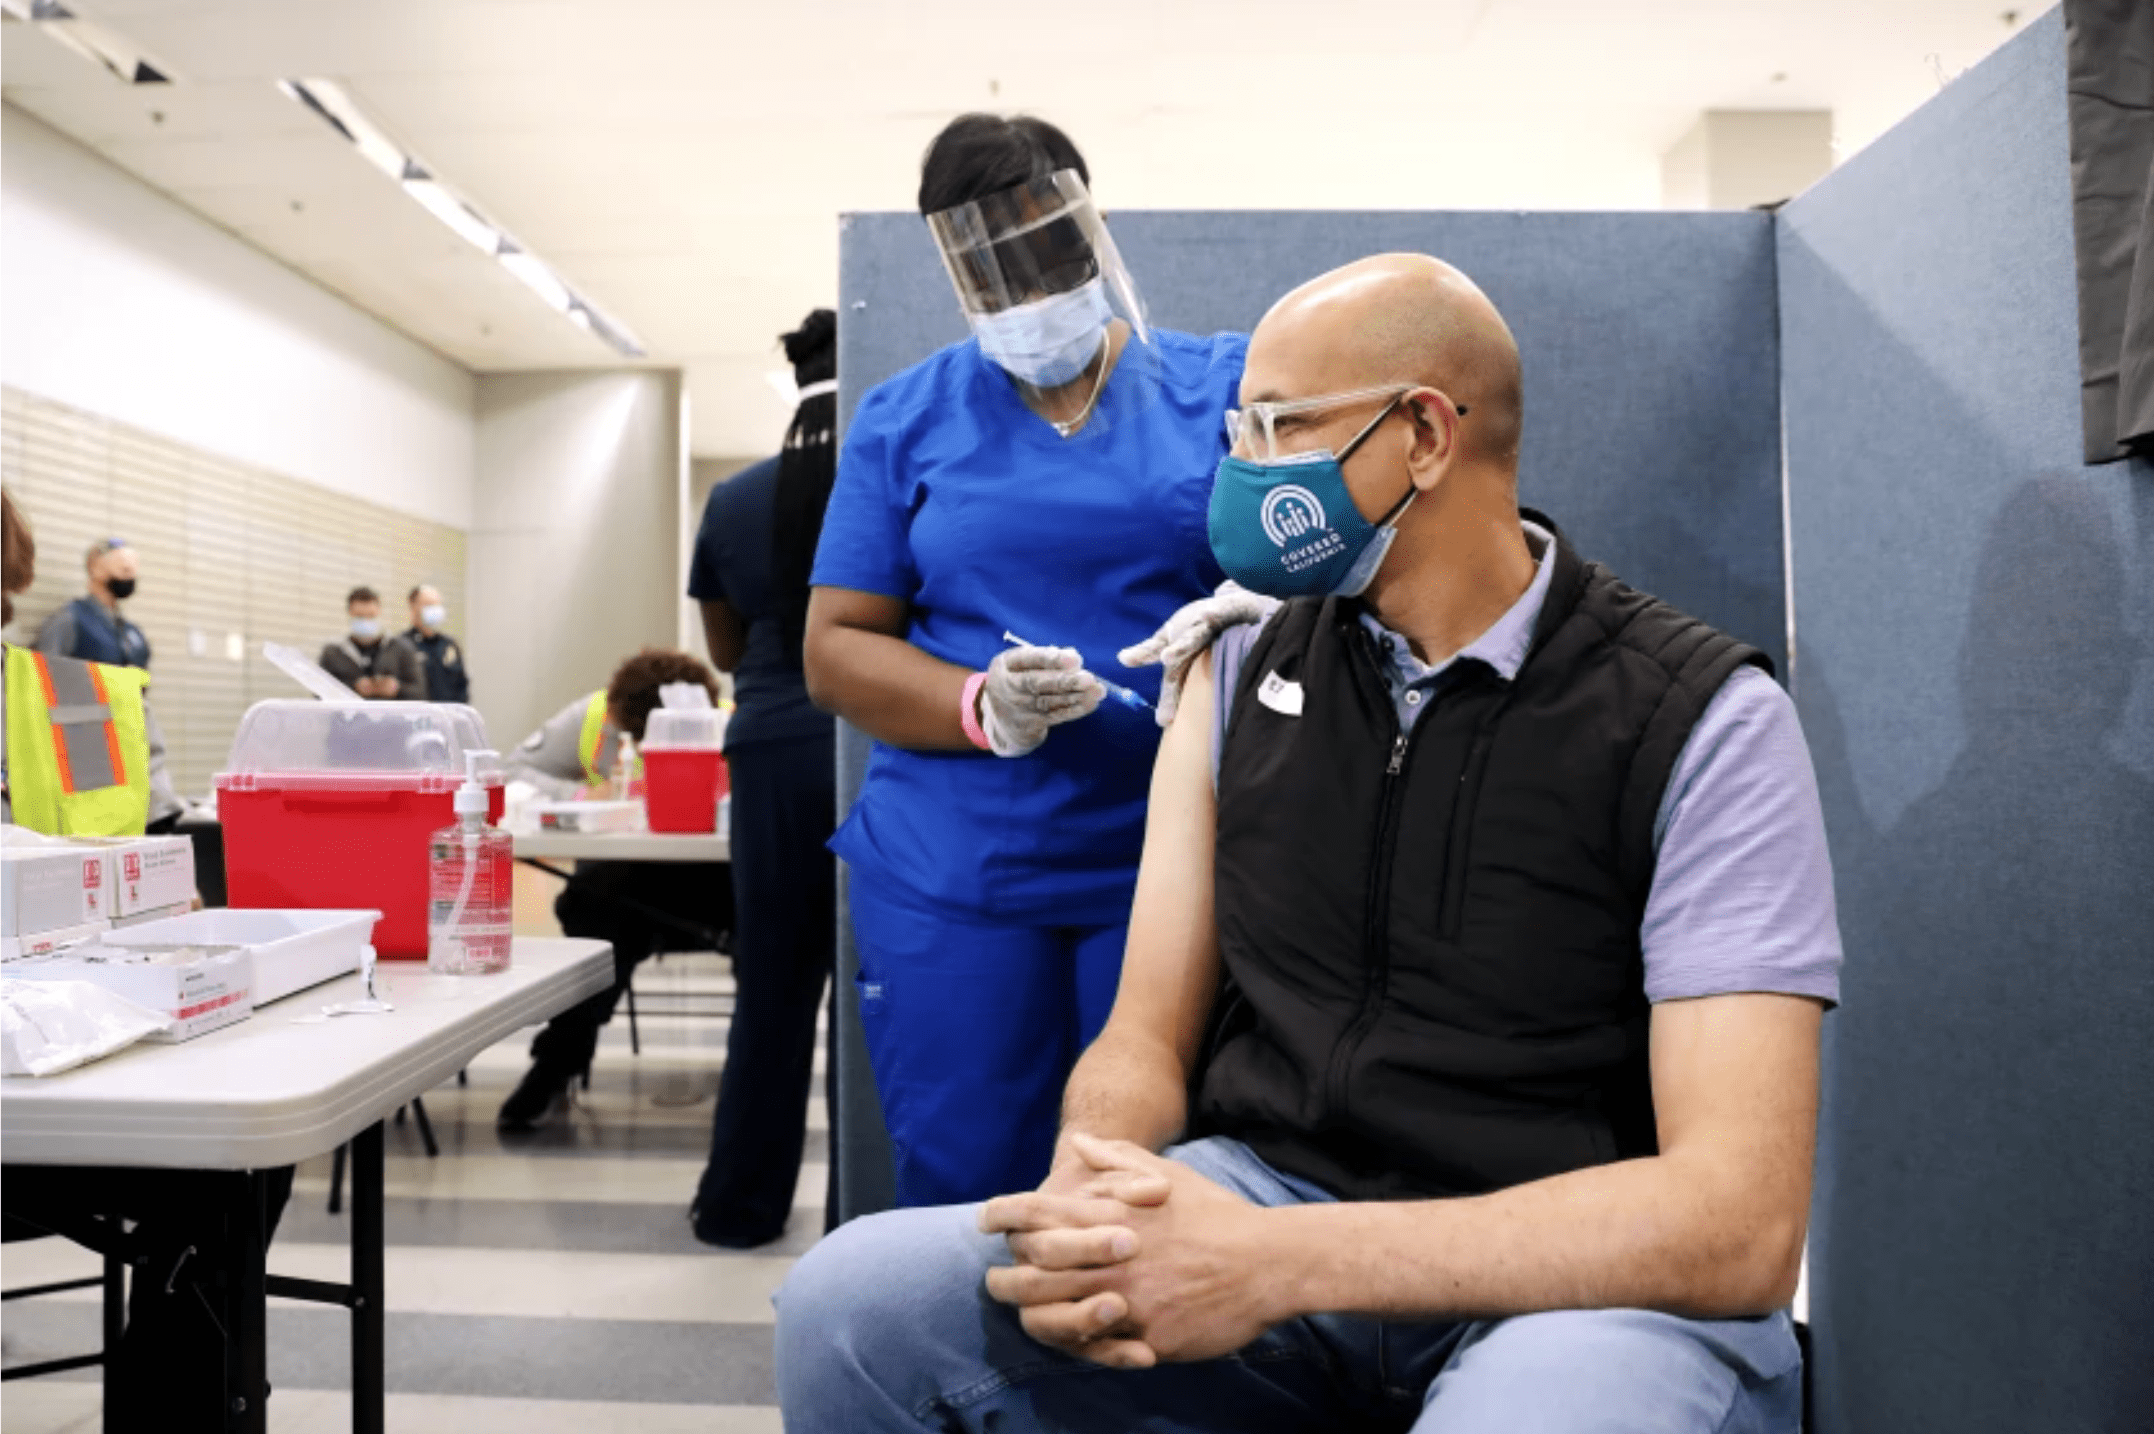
[1289,529]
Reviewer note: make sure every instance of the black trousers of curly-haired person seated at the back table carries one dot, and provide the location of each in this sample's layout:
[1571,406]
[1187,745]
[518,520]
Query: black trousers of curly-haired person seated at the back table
[637,905]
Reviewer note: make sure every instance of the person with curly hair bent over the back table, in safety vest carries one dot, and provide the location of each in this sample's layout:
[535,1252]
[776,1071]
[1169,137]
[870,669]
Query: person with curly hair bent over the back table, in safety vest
[637,905]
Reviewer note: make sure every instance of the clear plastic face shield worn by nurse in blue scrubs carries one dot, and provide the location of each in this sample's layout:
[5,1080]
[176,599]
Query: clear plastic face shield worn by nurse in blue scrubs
[1050,303]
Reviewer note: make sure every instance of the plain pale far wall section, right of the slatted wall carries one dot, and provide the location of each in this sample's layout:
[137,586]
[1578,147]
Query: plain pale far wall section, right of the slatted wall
[576,537]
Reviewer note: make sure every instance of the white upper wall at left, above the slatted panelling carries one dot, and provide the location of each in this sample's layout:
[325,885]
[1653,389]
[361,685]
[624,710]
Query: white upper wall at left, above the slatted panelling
[126,305]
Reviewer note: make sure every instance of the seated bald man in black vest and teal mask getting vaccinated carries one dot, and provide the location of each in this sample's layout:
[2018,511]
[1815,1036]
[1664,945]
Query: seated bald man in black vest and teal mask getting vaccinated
[1464,1071]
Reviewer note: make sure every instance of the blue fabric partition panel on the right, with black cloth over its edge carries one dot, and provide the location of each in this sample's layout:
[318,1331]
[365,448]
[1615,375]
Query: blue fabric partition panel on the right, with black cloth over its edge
[1972,669]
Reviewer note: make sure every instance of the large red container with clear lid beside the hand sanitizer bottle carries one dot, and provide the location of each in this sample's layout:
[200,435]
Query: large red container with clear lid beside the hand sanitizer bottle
[333,804]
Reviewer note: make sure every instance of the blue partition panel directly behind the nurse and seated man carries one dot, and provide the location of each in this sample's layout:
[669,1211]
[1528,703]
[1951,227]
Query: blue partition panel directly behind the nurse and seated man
[1651,399]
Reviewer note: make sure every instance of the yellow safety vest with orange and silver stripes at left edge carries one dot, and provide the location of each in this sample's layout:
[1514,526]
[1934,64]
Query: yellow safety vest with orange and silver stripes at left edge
[76,746]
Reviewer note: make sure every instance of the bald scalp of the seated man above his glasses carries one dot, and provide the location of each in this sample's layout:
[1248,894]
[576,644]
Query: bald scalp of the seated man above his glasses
[1397,320]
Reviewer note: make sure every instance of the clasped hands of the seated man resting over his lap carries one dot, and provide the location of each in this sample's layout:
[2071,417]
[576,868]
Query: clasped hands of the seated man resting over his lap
[1130,1261]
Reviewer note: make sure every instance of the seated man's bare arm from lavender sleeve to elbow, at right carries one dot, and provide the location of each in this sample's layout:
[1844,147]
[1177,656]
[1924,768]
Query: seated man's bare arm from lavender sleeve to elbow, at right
[1735,1091]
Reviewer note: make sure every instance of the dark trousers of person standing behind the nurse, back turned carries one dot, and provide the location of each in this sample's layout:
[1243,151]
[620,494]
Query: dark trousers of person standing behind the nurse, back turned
[785,809]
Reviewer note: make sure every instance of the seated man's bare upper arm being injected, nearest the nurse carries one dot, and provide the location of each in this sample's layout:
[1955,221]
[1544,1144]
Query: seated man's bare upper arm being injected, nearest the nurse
[1171,972]
